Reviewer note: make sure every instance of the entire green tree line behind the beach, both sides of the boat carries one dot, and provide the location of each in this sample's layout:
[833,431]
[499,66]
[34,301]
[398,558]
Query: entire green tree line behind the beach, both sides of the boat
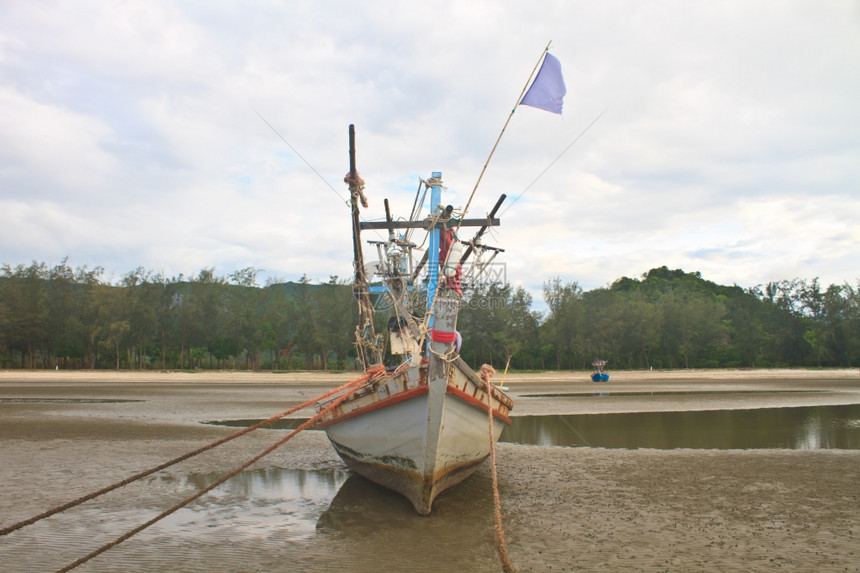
[73,318]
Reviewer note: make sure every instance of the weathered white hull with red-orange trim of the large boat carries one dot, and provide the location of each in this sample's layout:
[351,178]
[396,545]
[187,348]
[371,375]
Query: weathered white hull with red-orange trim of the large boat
[417,437]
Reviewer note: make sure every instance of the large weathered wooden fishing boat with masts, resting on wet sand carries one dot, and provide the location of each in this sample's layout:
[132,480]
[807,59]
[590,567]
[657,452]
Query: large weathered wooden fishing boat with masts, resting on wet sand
[427,421]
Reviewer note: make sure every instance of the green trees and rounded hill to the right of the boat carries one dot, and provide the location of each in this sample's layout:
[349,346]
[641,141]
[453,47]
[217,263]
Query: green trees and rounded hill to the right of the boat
[670,319]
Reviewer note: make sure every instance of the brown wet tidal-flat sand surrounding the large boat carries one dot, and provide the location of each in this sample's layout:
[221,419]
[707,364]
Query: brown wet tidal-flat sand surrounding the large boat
[63,435]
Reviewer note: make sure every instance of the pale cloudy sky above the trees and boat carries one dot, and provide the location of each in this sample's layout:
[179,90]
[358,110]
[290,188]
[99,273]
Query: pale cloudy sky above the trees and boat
[718,137]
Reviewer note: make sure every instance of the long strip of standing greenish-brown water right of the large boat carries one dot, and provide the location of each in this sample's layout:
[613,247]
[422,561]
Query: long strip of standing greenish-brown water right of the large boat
[811,427]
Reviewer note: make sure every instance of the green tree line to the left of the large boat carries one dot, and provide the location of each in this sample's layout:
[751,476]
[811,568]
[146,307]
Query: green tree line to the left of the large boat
[72,318]
